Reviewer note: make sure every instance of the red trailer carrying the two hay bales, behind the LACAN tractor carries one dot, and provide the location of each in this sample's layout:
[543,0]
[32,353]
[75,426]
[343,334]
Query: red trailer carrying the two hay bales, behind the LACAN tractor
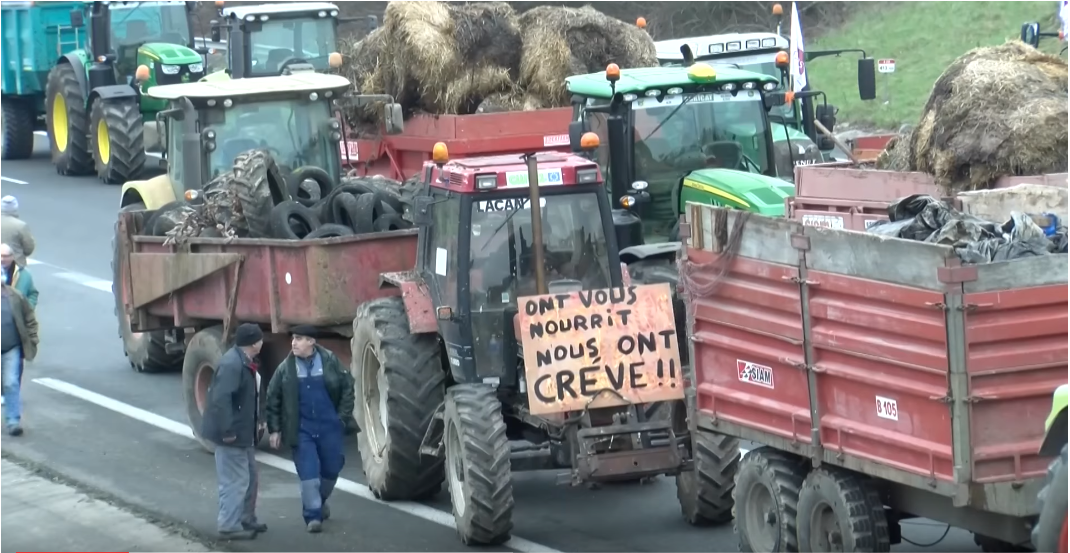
[401,157]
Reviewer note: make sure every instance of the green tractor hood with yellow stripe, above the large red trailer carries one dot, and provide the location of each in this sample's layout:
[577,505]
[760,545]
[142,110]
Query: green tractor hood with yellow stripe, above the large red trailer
[743,191]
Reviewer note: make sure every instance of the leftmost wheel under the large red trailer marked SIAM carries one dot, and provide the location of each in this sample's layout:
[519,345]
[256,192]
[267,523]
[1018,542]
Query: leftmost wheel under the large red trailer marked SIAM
[767,501]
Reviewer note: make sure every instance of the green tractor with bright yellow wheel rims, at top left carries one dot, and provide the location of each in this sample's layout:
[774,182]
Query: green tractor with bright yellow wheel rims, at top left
[99,119]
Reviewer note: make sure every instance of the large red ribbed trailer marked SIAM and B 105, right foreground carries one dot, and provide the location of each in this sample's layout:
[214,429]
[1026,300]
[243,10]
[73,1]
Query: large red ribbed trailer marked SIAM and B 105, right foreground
[885,380]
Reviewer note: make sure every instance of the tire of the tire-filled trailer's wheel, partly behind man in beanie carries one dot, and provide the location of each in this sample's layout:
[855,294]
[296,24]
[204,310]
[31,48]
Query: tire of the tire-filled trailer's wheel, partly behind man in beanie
[203,358]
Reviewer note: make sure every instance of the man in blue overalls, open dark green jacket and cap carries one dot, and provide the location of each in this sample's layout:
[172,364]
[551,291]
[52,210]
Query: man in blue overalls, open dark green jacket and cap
[310,409]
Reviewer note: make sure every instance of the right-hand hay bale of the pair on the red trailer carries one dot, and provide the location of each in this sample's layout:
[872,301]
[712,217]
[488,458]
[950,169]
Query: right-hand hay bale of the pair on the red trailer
[560,42]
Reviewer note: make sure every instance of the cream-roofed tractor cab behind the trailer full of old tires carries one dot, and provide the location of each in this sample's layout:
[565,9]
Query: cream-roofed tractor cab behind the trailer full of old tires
[208,125]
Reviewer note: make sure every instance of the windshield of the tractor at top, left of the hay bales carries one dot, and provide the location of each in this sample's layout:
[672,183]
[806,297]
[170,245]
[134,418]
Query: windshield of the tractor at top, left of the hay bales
[279,41]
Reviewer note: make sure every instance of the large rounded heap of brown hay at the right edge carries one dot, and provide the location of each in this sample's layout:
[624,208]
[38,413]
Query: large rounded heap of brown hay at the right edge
[995,112]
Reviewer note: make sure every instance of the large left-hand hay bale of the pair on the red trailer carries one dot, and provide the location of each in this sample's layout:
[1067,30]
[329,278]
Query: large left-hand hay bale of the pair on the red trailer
[446,59]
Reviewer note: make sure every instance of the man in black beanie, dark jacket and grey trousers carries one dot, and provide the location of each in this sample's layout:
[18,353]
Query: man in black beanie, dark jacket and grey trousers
[232,424]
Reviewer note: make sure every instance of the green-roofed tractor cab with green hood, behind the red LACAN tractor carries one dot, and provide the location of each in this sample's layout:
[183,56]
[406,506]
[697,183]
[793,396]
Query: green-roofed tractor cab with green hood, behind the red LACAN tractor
[674,135]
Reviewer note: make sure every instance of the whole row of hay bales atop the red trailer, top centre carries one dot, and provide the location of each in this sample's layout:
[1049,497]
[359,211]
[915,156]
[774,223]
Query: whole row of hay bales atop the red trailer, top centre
[448,58]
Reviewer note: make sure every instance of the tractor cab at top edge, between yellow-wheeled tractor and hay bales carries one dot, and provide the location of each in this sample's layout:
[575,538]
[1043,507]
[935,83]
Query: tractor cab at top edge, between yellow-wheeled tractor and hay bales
[268,40]
